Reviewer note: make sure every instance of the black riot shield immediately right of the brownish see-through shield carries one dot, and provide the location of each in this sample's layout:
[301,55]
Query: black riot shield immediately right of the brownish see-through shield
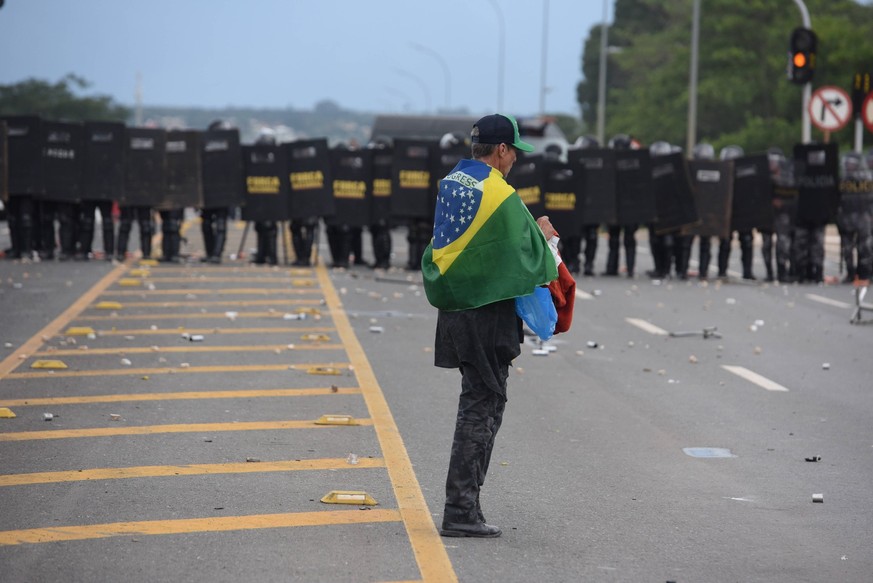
[752,203]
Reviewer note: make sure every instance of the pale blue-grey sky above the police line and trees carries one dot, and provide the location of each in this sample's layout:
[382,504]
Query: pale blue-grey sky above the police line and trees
[368,55]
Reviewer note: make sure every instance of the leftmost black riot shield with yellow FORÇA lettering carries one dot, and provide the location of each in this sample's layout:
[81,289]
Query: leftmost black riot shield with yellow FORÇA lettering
[266,174]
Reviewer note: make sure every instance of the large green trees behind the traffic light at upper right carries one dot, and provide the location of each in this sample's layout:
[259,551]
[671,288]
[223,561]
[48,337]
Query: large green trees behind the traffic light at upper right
[744,96]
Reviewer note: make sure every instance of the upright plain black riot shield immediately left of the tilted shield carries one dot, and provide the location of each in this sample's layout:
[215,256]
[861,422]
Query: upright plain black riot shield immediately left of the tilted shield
[633,187]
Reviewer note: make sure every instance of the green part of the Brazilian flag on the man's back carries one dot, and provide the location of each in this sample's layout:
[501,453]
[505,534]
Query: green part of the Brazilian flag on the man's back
[508,257]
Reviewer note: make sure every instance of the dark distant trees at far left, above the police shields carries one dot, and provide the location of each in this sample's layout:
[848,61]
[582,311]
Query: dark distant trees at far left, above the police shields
[59,101]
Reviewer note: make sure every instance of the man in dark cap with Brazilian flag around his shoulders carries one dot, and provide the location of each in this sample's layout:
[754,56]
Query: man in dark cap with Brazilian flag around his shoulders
[486,251]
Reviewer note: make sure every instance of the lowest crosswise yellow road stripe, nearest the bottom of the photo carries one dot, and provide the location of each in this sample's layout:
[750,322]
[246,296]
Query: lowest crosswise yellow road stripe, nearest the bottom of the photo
[191,525]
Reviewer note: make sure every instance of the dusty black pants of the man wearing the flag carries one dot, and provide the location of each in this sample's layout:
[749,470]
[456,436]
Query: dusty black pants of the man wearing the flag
[480,413]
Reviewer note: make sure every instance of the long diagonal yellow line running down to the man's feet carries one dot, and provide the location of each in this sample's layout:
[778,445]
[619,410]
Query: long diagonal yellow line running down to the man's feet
[430,553]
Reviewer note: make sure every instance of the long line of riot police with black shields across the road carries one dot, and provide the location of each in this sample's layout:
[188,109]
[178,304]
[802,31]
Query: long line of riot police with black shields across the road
[65,171]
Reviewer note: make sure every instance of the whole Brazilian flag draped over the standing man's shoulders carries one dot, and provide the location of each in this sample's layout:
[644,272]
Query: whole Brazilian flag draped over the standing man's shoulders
[486,246]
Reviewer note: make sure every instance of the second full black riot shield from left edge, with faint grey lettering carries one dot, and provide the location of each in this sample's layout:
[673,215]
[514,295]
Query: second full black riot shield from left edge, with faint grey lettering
[62,160]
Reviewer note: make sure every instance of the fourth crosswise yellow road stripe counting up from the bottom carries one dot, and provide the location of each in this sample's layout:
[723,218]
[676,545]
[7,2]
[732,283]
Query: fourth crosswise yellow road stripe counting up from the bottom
[186,395]
